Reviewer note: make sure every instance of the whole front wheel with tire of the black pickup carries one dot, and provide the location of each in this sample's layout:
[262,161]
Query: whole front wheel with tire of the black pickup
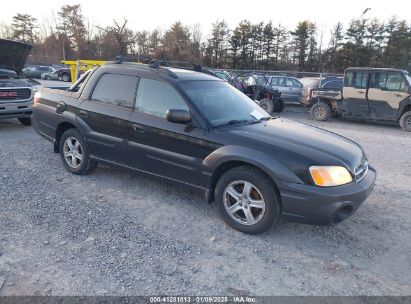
[262,191]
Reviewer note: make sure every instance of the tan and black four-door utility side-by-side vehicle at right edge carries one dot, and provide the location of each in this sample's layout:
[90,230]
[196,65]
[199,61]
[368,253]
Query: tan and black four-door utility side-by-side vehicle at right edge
[368,94]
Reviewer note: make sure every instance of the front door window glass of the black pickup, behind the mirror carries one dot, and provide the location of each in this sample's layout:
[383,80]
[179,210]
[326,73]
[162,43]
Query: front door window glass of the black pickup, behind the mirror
[155,98]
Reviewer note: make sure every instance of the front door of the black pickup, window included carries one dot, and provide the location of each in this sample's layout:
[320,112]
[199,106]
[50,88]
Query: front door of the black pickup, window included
[161,147]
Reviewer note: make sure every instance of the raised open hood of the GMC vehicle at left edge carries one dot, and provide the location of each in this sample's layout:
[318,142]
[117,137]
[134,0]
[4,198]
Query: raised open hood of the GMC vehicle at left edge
[13,54]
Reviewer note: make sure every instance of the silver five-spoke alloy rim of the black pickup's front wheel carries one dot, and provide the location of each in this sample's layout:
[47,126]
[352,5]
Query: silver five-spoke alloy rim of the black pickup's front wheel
[244,202]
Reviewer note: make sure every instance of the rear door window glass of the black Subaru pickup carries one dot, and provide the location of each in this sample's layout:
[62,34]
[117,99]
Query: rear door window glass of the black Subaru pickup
[116,90]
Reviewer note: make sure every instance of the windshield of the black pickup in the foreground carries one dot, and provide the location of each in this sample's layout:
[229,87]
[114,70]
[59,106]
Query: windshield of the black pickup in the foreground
[221,103]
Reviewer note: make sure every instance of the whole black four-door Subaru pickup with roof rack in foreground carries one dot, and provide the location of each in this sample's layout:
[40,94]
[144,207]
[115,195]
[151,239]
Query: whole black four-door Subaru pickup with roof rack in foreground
[145,129]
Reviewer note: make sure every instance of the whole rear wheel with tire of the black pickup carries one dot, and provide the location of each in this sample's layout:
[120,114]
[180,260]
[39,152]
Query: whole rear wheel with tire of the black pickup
[81,164]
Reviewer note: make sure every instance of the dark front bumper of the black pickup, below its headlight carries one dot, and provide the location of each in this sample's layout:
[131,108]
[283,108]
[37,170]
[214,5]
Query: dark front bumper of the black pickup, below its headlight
[321,205]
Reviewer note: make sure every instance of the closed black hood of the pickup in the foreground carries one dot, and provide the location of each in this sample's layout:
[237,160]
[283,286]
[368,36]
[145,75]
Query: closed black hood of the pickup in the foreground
[316,145]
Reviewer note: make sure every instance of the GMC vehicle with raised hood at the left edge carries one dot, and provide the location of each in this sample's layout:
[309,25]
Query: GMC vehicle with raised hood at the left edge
[16,91]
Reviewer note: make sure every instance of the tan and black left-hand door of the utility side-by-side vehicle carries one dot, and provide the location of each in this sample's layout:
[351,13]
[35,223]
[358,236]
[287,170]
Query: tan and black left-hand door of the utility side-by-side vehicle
[355,93]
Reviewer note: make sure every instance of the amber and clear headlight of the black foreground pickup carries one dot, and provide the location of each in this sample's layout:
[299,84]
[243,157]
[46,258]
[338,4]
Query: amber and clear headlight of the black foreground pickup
[328,176]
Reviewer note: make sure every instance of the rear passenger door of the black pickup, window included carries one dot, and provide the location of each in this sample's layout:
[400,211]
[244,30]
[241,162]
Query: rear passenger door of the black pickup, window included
[105,116]
